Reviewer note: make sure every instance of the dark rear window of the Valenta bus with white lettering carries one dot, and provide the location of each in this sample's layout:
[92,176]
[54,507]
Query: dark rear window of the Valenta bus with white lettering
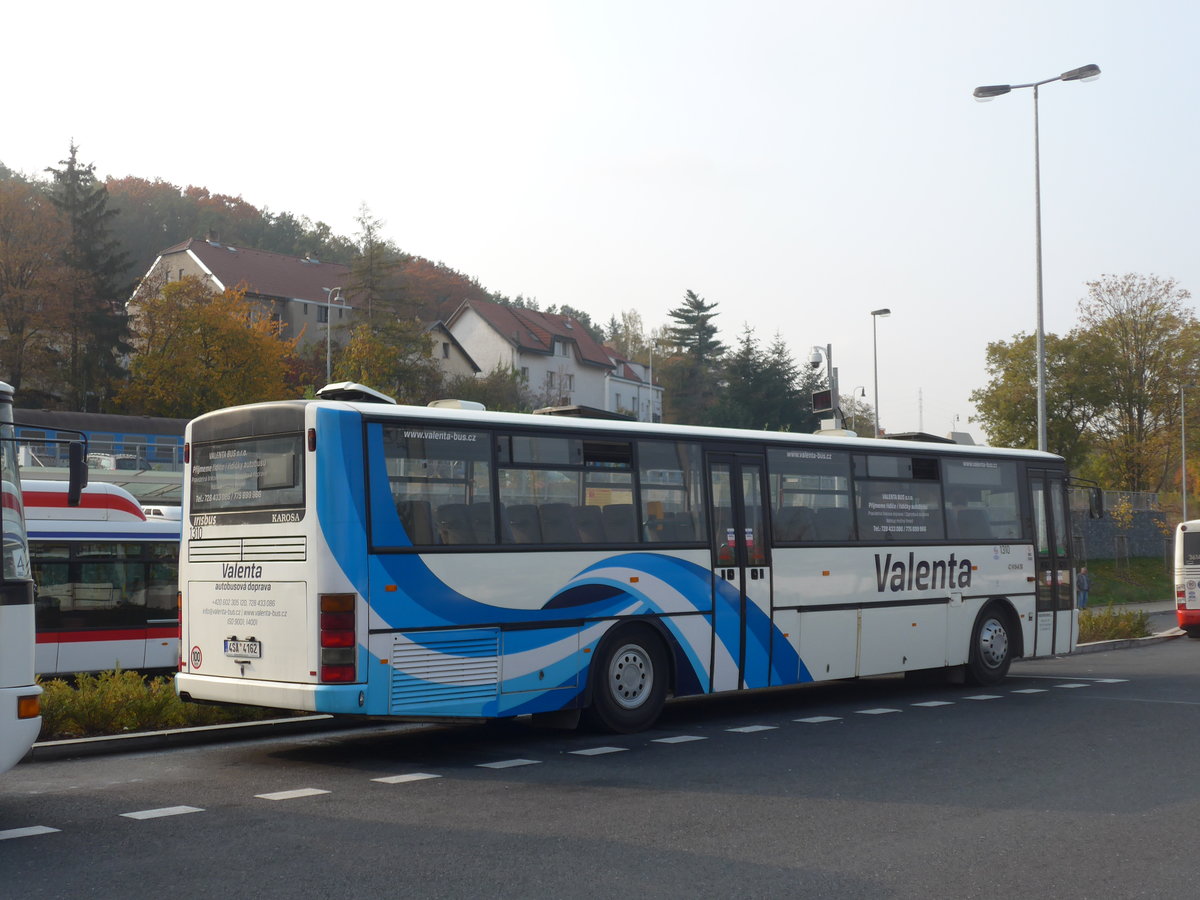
[254,475]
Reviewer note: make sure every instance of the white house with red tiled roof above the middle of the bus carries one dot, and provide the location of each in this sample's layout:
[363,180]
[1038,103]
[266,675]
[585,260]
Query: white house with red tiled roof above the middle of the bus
[561,362]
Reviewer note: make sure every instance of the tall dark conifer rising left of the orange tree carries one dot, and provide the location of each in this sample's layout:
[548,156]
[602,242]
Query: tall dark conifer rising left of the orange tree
[97,337]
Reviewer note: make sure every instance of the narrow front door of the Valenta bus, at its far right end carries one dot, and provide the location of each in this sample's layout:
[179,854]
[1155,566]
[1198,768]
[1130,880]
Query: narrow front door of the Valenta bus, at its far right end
[1057,623]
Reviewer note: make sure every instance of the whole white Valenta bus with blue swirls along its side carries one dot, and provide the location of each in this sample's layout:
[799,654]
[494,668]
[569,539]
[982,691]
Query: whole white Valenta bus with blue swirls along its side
[352,556]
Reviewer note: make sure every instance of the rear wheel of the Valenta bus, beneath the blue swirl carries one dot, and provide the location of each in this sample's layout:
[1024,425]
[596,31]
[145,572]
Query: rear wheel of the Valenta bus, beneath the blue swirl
[629,681]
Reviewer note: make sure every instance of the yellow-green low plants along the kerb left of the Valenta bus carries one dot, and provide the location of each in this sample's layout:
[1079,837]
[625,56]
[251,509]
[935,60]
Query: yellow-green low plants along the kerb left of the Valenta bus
[119,703]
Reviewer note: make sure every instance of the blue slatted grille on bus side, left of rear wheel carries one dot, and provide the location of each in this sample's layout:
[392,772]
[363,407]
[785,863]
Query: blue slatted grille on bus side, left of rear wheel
[445,670]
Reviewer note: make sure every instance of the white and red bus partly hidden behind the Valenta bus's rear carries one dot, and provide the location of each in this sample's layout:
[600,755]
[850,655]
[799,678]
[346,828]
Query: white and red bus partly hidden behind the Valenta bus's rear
[106,579]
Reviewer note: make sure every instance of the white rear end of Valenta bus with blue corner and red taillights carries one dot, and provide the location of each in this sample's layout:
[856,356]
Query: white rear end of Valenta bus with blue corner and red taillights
[268,617]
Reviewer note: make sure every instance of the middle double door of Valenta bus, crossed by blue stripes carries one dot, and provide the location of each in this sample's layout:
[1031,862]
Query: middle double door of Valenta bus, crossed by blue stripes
[741,572]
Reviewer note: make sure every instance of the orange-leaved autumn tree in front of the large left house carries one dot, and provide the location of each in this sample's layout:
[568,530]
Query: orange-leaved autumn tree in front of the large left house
[199,351]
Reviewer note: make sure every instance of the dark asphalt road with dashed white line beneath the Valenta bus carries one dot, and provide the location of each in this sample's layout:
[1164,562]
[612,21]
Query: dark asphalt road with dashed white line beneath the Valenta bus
[1065,782]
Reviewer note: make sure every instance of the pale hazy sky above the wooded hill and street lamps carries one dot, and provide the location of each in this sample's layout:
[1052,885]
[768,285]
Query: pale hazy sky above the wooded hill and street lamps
[799,164]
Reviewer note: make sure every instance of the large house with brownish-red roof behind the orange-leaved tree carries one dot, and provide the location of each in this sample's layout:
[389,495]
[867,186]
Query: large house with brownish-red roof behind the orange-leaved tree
[301,293]
